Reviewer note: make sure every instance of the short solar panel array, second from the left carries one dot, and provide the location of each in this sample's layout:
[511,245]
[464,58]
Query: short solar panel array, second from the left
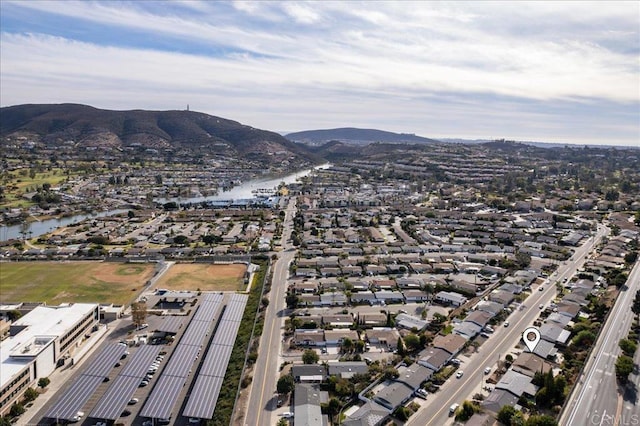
[113,402]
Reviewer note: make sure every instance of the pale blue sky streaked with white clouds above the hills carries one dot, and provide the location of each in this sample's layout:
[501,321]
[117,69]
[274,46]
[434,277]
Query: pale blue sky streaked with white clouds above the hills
[564,72]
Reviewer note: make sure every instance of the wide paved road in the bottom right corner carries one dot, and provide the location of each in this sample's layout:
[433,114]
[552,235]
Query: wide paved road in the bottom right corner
[596,400]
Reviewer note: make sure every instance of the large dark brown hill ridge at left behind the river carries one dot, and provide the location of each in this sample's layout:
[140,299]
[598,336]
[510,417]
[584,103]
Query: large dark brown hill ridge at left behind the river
[86,126]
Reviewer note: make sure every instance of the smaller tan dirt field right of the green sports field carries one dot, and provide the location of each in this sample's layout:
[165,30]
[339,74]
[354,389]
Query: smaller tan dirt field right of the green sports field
[205,277]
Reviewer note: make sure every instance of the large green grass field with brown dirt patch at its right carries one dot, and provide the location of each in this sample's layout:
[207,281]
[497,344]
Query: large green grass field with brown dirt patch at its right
[58,282]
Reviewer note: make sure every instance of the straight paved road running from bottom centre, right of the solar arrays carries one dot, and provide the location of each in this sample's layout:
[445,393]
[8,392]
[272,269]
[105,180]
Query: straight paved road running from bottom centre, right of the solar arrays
[263,400]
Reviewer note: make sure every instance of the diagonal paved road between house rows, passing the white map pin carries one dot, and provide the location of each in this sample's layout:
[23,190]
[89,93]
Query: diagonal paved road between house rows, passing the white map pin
[436,410]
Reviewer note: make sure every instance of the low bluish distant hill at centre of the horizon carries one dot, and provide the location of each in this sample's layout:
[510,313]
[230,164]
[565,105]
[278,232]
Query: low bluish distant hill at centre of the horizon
[352,135]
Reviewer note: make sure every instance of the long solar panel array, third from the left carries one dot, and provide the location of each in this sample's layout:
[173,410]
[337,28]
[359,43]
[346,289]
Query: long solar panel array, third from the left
[166,391]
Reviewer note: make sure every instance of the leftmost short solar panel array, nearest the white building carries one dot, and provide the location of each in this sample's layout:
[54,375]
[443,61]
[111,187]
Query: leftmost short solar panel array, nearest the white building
[72,399]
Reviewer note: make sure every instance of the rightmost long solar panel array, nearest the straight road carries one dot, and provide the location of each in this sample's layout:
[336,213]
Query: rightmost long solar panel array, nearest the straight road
[204,395]
